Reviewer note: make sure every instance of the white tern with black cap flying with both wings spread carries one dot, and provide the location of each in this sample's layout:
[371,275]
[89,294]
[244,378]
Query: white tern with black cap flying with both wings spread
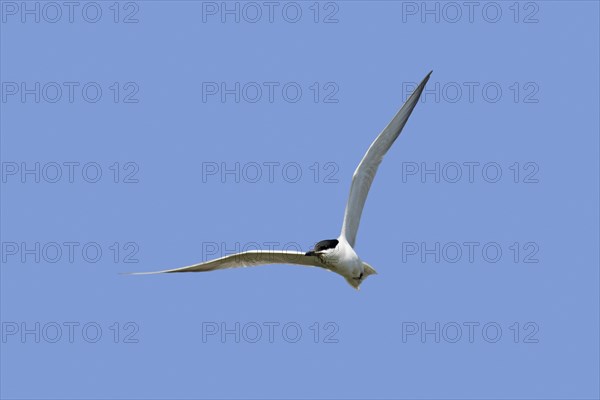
[336,255]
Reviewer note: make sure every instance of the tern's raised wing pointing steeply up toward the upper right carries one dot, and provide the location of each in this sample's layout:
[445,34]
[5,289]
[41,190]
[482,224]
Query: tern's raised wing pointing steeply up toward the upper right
[365,172]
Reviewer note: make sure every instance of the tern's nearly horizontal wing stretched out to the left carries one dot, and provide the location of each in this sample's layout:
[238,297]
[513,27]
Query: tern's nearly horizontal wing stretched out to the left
[248,259]
